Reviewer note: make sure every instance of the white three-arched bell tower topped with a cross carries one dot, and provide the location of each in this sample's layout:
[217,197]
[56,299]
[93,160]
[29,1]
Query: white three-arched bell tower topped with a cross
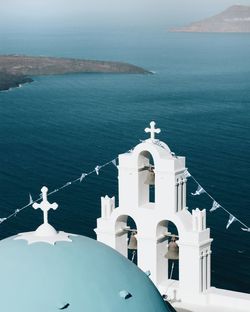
[152,208]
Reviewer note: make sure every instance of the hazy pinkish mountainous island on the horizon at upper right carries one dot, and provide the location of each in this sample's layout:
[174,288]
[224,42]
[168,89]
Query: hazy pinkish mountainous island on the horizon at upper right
[235,19]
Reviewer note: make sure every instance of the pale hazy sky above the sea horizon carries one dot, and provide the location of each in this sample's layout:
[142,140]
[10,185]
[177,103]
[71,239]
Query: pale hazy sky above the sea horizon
[161,13]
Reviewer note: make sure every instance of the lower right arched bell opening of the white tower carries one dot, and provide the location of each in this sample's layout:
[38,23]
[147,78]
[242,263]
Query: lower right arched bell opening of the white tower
[167,251]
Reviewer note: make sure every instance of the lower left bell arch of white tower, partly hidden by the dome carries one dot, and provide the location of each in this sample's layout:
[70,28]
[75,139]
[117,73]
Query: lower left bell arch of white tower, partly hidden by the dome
[126,237]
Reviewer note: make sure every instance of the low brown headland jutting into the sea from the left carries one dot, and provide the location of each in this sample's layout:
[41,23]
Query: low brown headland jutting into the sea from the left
[18,69]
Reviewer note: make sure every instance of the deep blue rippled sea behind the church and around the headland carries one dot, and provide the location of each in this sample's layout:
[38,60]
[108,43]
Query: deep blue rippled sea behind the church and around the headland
[60,126]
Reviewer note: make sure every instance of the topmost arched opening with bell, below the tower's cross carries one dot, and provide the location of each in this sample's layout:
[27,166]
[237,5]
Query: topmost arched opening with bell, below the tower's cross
[146,178]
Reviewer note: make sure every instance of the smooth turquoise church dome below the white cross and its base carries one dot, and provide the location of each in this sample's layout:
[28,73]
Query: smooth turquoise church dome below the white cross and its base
[82,275]
